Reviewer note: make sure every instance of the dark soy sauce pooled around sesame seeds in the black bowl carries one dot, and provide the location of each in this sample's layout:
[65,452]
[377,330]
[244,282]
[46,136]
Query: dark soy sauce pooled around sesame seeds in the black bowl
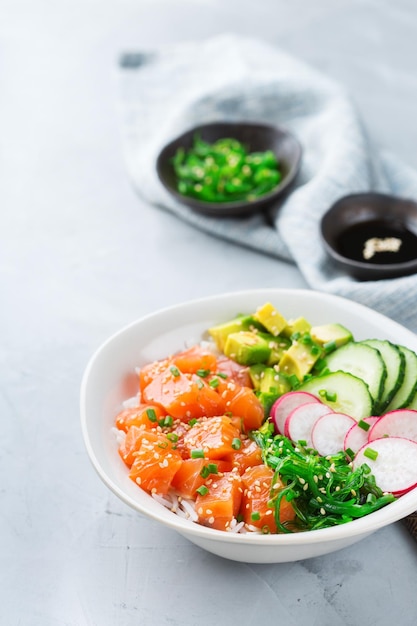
[351,243]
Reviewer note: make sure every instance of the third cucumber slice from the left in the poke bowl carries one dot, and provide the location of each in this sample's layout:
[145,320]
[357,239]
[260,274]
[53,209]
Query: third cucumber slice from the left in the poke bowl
[394,361]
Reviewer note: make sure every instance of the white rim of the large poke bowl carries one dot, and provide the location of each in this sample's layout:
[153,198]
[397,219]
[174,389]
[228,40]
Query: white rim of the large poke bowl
[391,513]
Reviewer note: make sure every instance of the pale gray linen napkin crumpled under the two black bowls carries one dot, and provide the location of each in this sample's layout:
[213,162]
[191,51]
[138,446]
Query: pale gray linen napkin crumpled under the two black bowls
[231,78]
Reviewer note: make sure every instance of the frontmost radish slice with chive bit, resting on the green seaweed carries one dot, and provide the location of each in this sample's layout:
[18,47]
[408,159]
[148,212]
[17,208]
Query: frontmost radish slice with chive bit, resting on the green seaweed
[393,462]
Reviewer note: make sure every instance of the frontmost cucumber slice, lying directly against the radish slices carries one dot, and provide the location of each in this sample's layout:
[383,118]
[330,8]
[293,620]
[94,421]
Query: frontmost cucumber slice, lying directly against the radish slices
[351,394]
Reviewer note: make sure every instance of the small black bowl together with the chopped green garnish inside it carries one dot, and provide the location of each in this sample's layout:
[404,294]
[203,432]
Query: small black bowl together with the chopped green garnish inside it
[229,169]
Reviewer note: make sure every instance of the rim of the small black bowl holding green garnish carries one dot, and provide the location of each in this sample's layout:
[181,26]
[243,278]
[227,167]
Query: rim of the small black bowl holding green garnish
[219,208]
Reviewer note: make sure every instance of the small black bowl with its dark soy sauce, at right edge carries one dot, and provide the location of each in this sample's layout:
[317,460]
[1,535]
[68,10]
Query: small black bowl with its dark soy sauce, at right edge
[372,236]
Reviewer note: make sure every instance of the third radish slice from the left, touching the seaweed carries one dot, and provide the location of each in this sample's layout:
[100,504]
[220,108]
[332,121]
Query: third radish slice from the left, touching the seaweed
[329,432]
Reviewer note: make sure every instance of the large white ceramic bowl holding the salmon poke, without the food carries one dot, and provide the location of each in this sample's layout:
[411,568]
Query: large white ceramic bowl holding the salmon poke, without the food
[109,379]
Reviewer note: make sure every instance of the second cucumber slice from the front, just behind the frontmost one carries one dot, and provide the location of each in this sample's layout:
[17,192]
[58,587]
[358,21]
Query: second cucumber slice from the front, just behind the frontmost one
[361,361]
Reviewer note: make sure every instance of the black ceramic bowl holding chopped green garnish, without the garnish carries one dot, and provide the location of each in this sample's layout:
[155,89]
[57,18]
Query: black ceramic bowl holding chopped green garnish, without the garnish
[257,138]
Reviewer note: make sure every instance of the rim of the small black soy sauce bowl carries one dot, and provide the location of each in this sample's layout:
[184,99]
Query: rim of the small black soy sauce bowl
[381,268]
